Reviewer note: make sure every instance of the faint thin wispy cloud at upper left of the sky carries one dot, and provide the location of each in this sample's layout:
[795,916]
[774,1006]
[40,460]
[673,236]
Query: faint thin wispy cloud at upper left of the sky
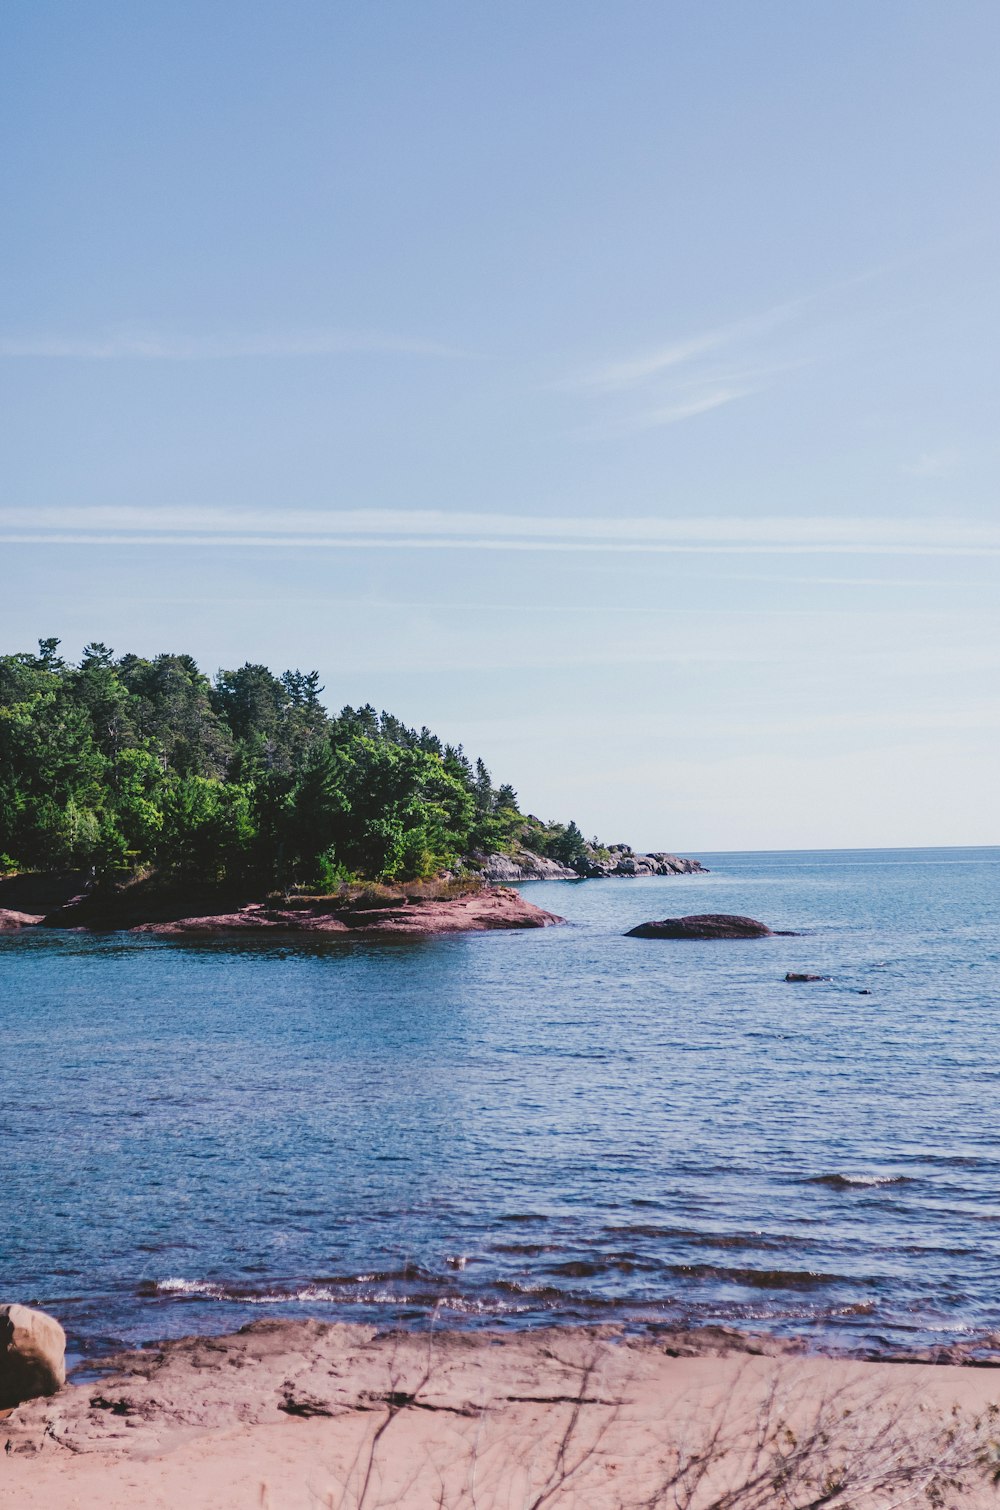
[150,345]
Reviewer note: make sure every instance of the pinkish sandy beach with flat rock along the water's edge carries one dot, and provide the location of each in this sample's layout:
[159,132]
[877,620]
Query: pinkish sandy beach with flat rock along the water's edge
[307,1416]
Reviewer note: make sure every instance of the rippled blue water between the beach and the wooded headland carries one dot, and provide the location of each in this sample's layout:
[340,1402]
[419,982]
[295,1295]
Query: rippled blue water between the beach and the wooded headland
[517,1129]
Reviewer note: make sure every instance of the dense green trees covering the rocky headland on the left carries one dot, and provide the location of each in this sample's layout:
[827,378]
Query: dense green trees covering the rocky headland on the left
[122,765]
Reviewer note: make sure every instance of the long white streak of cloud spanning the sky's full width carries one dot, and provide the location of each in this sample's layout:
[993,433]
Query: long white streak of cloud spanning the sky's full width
[436,529]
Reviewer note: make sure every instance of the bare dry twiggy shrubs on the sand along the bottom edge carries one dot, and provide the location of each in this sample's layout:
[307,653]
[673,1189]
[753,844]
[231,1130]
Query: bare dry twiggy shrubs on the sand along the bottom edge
[854,1449]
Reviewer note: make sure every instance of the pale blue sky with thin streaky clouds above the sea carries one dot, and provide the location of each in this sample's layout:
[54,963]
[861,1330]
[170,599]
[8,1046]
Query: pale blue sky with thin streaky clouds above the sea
[611,387]
